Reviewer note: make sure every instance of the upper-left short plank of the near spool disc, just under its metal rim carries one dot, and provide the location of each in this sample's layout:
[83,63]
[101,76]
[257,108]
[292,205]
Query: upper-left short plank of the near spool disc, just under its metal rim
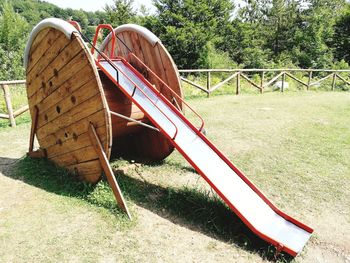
[45,43]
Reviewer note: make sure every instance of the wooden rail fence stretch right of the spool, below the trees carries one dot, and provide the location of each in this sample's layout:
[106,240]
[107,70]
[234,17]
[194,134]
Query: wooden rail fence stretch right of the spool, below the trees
[239,74]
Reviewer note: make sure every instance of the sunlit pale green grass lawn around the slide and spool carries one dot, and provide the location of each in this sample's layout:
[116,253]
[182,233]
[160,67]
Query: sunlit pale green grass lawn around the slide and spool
[295,147]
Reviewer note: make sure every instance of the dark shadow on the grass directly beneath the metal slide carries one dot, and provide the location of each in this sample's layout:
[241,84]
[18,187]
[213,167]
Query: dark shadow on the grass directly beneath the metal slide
[199,211]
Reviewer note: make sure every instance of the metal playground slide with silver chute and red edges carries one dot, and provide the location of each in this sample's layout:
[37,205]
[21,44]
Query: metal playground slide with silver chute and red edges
[255,210]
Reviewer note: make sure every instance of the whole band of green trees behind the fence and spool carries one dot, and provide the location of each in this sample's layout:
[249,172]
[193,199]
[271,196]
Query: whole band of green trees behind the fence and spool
[204,34]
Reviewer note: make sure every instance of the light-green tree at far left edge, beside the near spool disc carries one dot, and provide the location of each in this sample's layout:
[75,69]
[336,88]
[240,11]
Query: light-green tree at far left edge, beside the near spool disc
[13,36]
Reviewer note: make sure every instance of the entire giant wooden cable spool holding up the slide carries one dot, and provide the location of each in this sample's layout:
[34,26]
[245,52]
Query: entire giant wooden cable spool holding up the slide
[67,94]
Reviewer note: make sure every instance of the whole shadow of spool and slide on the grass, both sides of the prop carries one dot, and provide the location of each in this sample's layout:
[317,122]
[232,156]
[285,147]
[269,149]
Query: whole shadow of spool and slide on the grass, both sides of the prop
[194,209]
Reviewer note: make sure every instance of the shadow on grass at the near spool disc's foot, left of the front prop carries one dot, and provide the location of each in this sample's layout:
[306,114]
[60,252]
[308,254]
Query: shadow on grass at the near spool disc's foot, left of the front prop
[46,175]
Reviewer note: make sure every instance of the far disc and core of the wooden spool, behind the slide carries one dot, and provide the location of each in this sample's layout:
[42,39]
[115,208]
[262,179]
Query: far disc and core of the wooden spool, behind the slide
[130,38]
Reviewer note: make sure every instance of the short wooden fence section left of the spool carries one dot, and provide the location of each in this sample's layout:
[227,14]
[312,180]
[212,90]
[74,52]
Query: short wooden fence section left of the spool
[11,113]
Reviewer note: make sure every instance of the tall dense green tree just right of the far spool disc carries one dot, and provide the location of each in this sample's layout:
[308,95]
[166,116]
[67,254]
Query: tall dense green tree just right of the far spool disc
[187,26]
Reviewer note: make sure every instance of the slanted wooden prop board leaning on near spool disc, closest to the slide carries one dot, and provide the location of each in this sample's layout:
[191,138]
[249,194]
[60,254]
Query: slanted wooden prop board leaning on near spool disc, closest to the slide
[108,171]
